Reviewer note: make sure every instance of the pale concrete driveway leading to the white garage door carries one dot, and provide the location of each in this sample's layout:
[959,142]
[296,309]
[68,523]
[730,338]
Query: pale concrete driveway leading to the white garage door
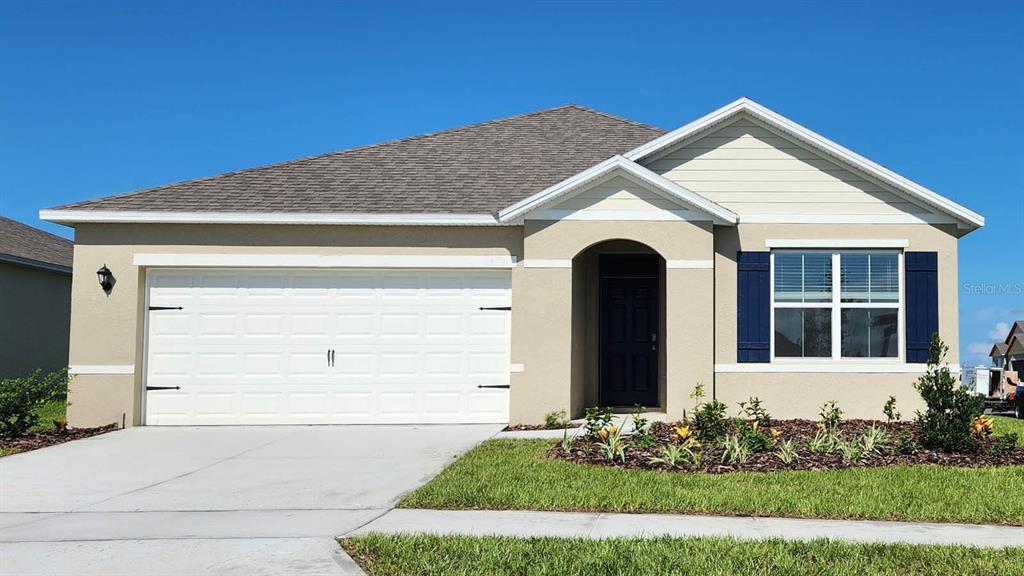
[211,501]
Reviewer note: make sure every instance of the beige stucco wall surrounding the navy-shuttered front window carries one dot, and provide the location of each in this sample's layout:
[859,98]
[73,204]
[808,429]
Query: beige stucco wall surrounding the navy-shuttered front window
[801,394]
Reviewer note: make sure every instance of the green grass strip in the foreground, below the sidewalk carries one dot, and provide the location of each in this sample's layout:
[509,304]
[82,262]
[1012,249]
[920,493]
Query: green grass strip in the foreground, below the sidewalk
[388,555]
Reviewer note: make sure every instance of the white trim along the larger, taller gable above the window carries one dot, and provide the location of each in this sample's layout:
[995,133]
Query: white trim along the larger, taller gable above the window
[966,217]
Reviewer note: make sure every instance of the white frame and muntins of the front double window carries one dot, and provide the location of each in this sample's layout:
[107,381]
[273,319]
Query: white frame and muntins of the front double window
[837,306]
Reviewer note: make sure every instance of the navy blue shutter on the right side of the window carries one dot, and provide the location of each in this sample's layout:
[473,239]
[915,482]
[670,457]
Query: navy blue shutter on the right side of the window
[922,274]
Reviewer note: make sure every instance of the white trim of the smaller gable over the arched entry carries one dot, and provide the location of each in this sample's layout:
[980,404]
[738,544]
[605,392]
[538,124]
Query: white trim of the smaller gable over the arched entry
[672,190]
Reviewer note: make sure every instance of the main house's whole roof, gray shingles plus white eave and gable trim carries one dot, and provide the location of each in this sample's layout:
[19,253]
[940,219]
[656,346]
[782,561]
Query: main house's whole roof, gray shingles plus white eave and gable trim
[486,174]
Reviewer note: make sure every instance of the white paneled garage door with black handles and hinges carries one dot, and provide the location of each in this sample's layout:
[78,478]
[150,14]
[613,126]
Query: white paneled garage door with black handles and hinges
[327,347]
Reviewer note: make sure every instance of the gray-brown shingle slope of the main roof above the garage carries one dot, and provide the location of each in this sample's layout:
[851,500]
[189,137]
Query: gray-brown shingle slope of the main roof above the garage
[475,170]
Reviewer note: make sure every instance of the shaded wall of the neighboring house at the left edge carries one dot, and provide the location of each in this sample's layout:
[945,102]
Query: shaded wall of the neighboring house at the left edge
[35,306]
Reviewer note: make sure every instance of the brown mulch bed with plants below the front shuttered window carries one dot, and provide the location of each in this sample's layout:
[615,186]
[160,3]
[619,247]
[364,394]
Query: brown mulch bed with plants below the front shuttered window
[586,451]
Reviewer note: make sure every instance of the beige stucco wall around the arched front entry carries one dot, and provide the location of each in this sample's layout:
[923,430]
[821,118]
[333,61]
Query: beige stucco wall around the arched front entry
[542,303]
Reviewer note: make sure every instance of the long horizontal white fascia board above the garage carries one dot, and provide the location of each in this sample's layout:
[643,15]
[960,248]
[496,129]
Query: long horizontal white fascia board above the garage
[118,217]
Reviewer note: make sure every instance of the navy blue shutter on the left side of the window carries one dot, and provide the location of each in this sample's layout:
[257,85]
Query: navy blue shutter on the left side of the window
[753,307]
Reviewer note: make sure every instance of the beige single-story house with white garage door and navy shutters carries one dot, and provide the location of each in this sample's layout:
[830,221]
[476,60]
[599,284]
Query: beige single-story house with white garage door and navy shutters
[498,272]
